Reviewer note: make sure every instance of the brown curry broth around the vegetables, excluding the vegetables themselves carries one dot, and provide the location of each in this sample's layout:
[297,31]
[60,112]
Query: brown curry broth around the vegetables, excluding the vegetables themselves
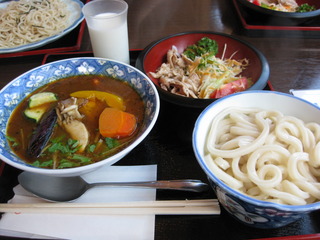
[20,127]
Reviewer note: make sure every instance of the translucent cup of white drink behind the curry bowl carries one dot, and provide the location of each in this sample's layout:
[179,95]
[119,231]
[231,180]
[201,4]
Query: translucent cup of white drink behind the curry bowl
[108,28]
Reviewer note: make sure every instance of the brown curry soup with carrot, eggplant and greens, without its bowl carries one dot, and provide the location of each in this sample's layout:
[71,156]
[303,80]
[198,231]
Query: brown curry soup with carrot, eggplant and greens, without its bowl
[75,121]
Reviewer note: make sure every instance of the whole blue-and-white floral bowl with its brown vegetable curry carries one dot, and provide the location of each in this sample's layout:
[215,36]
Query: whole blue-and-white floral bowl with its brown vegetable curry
[73,116]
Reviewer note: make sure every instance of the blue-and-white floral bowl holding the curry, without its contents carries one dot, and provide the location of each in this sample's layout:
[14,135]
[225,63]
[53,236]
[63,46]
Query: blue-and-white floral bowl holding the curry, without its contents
[14,92]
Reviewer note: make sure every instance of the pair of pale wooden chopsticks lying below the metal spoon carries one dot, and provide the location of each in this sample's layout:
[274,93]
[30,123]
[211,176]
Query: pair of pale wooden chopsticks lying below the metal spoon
[168,207]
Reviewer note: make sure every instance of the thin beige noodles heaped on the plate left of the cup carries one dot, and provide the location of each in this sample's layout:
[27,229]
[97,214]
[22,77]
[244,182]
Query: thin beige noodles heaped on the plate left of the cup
[28,21]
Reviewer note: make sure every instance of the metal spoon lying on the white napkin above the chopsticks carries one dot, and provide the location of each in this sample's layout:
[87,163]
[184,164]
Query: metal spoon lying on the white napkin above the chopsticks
[63,189]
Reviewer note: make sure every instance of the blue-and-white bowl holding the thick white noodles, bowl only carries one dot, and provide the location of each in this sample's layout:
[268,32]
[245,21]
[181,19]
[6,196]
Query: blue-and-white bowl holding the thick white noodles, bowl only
[250,211]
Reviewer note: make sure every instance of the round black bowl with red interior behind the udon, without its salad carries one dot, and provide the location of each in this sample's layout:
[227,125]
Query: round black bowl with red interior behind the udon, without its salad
[228,46]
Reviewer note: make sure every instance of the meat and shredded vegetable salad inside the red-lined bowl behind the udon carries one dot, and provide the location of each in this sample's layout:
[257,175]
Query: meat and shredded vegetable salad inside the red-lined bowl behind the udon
[199,73]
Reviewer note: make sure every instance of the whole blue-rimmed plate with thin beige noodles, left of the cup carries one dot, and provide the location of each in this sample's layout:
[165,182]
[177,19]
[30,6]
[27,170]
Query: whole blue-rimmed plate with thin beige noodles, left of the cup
[29,24]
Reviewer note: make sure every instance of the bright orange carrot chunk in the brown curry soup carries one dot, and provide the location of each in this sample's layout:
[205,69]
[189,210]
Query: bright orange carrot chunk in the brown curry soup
[116,123]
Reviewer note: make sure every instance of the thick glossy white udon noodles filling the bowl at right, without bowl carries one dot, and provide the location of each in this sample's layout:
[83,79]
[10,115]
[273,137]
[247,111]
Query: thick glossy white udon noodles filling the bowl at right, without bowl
[266,155]
